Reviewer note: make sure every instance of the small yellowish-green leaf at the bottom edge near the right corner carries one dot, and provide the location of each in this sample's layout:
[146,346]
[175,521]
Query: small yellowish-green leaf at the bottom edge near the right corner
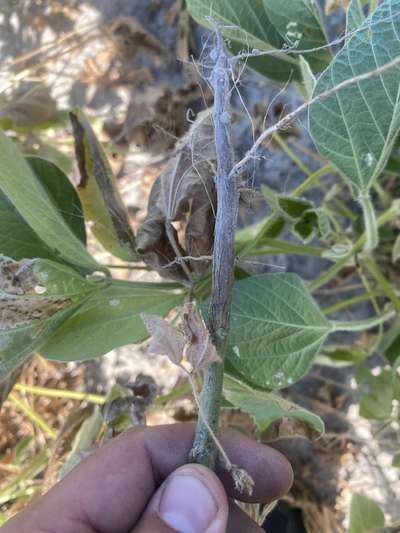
[365,515]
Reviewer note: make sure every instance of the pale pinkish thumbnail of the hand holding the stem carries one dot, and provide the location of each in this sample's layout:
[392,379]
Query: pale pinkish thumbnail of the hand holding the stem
[187,504]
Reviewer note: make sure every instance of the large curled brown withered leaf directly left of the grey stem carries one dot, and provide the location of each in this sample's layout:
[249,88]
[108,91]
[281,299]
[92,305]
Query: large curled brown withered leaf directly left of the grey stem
[184,193]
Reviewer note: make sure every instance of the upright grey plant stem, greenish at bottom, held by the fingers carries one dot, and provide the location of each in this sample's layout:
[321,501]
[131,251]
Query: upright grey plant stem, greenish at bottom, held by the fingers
[204,450]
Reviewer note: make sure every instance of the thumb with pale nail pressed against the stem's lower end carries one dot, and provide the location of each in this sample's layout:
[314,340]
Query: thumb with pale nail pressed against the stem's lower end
[191,500]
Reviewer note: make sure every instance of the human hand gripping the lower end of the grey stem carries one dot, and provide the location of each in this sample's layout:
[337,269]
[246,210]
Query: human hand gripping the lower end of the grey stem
[139,483]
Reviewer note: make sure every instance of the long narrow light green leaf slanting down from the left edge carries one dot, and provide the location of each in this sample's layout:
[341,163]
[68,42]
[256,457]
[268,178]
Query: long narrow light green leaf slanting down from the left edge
[29,197]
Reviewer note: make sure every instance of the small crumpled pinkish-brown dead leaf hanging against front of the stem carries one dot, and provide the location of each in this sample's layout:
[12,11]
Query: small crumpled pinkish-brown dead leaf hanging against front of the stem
[199,349]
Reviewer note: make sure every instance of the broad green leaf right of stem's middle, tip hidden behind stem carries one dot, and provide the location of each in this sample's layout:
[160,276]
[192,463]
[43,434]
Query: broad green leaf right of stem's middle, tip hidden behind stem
[276,329]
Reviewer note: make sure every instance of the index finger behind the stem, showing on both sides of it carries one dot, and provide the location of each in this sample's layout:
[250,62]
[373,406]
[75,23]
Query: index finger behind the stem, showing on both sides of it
[109,490]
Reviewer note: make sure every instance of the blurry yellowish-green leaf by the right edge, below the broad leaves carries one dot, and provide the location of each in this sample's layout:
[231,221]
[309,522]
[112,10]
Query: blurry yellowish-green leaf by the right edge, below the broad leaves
[377,402]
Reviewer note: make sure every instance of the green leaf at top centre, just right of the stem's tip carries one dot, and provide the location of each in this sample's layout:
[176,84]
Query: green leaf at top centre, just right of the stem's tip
[254,30]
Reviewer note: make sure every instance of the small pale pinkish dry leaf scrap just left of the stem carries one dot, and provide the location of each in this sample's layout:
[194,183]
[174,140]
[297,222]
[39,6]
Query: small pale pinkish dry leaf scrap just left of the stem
[165,339]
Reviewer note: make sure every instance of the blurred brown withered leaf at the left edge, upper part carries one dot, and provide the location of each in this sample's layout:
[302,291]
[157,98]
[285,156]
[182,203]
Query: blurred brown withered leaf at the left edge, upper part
[29,109]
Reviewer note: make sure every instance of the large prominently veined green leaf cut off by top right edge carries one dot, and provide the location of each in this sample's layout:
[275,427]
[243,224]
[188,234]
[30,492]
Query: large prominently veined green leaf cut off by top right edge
[356,126]
